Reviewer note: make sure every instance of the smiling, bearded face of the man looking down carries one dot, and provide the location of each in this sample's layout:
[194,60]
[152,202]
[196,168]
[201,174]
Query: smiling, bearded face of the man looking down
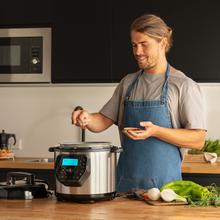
[147,51]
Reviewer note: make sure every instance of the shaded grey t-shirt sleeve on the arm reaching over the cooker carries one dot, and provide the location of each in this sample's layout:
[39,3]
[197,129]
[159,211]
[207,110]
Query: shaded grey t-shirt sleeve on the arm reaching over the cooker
[112,108]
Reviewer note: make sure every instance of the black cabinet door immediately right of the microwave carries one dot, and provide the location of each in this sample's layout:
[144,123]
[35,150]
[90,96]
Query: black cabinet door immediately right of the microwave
[81,42]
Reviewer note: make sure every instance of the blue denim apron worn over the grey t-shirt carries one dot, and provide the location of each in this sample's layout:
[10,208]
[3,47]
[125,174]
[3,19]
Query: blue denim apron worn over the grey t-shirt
[151,162]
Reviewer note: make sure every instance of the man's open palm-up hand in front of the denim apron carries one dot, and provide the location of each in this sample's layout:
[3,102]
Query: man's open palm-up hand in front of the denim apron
[141,134]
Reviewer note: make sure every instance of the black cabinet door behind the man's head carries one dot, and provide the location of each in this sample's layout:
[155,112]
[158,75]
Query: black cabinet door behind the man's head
[196,34]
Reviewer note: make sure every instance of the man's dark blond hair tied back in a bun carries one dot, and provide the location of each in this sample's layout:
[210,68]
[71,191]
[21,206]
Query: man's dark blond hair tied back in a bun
[154,27]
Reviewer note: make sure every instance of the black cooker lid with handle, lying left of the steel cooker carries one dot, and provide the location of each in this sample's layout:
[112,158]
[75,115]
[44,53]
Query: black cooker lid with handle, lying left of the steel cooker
[22,185]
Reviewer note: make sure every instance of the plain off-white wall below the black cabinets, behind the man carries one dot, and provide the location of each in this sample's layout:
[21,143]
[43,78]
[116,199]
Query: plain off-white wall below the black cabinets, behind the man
[40,115]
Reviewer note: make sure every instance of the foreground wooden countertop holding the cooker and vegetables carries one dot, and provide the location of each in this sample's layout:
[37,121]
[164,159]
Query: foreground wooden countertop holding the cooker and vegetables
[117,209]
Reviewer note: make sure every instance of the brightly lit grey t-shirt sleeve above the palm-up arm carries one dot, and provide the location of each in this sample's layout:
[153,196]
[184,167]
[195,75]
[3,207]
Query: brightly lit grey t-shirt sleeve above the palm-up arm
[192,107]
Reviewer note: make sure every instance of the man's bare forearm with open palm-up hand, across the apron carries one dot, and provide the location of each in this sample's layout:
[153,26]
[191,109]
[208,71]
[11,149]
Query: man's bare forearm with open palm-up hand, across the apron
[189,138]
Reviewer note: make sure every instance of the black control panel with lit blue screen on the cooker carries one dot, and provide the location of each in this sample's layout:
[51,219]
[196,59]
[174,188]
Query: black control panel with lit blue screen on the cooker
[72,170]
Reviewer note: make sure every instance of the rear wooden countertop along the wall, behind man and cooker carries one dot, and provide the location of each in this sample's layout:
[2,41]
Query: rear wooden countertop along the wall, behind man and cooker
[187,167]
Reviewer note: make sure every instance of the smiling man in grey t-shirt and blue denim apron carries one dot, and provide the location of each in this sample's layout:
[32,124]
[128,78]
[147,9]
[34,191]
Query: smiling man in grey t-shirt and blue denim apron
[158,111]
